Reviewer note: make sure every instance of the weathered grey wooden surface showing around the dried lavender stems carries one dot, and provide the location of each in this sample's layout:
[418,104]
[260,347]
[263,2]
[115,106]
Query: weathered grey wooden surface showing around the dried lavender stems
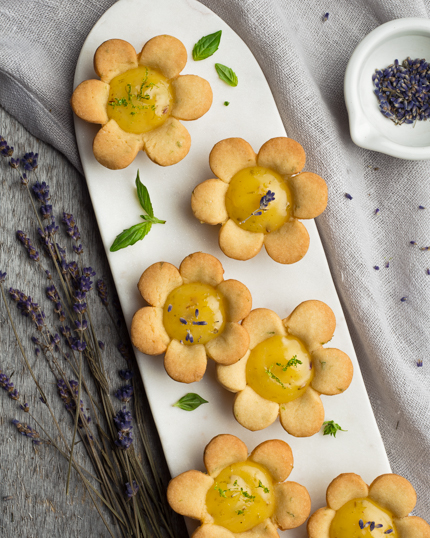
[32,481]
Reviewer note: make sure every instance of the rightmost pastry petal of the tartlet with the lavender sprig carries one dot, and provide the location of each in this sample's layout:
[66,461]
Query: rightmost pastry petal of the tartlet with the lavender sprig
[310,195]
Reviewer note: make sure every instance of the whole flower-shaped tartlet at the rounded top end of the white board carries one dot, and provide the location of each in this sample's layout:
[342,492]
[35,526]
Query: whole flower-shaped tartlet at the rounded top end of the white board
[140,100]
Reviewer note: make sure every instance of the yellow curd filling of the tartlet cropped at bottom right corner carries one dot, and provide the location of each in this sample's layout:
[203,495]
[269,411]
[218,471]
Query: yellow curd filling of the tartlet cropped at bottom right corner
[362,518]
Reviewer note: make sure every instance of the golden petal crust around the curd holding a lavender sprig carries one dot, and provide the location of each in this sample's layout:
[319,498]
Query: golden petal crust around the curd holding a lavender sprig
[285,156]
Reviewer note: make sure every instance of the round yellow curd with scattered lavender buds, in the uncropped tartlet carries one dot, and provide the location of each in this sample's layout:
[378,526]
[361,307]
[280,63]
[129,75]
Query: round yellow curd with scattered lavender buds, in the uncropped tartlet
[194,313]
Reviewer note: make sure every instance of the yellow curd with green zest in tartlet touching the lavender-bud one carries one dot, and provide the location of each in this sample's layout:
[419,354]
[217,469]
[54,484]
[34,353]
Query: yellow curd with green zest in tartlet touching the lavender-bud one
[279,369]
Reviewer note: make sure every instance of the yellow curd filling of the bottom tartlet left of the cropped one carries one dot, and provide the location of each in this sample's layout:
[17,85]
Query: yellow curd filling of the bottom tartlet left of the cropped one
[242,496]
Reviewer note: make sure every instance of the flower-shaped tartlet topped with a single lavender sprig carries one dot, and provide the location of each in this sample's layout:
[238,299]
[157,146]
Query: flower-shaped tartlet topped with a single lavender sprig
[258,198]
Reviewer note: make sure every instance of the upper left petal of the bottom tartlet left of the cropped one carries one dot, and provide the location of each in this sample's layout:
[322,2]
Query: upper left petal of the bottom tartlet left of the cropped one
[222,451]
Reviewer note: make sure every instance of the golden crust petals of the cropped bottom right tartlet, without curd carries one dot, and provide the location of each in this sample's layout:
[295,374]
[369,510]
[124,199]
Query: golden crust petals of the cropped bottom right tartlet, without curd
[390,491]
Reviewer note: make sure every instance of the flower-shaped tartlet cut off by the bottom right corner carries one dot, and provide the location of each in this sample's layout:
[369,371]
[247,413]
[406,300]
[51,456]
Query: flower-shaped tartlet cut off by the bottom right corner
[355,510]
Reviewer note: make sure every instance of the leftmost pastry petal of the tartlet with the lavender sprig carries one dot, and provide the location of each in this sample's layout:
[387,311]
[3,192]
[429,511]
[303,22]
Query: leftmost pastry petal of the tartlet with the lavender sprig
[208,201]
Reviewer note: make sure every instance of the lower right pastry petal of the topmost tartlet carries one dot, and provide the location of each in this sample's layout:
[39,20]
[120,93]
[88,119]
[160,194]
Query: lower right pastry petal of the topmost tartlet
[167,144]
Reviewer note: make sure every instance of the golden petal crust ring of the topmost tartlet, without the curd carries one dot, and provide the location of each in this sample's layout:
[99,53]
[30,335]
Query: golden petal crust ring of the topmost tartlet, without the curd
[166,144]
